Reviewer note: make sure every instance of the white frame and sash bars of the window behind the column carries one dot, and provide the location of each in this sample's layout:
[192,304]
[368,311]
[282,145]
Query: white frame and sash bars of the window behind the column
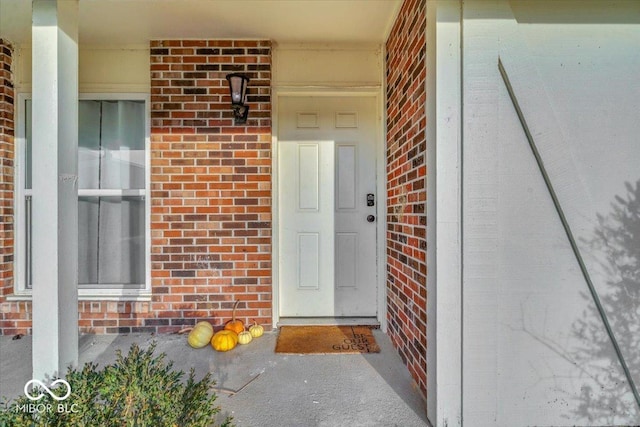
[85,292]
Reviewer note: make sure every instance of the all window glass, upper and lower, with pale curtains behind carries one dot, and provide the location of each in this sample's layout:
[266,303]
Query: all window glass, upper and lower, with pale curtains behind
[111,155]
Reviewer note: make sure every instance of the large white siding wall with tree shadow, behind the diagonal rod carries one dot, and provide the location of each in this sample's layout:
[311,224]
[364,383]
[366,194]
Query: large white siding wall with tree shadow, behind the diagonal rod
[535,351]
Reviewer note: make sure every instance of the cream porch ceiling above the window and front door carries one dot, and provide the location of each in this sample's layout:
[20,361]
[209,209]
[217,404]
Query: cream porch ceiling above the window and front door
[108,22]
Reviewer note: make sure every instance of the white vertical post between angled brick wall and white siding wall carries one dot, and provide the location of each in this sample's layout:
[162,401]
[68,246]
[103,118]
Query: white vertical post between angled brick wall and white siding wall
[444,213]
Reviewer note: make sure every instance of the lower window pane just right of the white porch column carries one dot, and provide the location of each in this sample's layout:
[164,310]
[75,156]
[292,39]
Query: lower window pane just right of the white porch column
[111,240]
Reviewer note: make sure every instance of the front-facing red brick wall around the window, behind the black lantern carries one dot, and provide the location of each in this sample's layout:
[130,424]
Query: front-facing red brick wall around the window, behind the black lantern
[210,195]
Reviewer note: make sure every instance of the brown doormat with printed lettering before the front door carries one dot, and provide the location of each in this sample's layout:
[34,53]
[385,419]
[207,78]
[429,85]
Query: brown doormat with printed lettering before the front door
[326,340]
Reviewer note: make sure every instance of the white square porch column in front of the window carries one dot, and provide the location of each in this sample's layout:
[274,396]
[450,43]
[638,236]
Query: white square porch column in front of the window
[55,193]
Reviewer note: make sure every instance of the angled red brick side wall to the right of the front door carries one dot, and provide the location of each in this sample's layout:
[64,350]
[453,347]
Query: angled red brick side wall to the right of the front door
[406,170]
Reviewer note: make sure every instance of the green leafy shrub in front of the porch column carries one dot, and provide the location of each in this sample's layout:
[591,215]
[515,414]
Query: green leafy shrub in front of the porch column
[139,389]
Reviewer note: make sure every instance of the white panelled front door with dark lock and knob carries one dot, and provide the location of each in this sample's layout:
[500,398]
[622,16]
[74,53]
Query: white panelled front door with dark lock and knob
[327,206]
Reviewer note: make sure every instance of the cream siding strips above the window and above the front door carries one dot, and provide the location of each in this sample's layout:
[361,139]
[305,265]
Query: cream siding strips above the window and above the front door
[126,68]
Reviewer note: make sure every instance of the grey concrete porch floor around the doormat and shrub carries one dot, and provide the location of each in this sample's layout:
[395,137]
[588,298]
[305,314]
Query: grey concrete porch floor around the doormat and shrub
[275,390]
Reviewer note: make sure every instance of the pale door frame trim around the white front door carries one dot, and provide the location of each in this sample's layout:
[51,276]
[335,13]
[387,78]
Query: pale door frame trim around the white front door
[381,165]
